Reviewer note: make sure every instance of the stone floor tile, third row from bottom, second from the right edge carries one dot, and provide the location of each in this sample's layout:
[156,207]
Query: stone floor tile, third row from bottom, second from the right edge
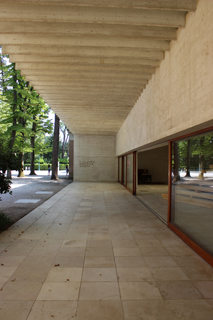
[168,274]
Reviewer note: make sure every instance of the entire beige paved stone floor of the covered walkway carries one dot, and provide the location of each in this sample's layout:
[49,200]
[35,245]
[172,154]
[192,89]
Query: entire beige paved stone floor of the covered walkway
[94,252]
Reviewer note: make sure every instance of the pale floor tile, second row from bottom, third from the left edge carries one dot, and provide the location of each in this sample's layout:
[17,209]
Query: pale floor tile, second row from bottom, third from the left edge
[99,291]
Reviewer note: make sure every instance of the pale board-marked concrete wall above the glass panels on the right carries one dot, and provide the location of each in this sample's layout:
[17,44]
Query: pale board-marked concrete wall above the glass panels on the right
[179,96]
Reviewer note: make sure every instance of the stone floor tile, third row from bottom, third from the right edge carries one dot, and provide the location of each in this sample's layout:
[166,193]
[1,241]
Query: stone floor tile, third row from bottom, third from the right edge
[134,274]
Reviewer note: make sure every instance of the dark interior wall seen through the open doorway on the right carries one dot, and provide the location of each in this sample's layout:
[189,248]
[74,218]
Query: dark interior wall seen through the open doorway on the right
[156,161]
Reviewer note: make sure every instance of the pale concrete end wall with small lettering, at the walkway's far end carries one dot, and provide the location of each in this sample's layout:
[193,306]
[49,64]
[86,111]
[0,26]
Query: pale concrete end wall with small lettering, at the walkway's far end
[94,158]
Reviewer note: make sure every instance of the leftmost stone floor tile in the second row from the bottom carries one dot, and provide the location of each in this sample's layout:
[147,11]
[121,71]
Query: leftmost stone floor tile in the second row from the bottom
[20,291]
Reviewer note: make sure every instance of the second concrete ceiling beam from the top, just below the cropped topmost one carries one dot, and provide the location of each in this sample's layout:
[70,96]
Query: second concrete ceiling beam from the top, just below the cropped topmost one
[81,14]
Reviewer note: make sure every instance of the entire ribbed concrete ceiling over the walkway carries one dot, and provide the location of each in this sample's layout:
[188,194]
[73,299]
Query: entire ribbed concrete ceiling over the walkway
[90,59]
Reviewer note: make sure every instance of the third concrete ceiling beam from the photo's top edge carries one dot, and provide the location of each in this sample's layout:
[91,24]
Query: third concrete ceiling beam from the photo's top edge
[91,29]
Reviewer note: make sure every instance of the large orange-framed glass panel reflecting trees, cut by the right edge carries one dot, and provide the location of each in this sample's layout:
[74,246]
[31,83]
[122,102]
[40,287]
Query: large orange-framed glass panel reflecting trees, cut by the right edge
[192,188]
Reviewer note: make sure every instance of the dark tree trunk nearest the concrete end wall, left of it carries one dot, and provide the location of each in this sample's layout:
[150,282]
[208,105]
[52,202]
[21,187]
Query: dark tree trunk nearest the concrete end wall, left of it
[55,149]
